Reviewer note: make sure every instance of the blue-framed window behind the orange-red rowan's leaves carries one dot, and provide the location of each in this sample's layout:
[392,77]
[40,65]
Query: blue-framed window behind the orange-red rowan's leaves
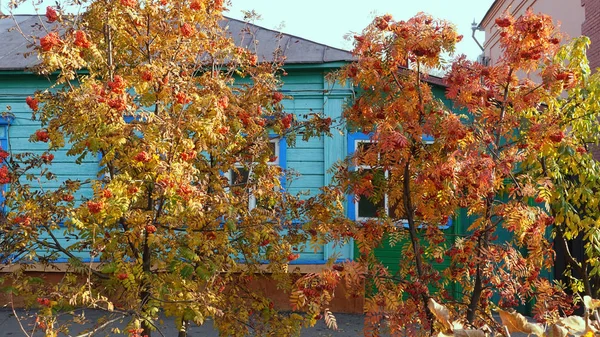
[354,205]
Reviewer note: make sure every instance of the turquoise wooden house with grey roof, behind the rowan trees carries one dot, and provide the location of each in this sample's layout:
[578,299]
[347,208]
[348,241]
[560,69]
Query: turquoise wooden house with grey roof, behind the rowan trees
[307,64]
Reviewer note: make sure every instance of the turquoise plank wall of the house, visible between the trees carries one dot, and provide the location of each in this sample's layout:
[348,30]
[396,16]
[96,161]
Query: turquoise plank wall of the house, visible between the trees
[306,85]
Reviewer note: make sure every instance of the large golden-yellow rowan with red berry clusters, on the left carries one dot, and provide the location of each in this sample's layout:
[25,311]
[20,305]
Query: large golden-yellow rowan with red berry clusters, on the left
[187,207]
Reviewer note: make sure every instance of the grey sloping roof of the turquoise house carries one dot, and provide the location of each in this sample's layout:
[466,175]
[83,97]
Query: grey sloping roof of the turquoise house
[13,46]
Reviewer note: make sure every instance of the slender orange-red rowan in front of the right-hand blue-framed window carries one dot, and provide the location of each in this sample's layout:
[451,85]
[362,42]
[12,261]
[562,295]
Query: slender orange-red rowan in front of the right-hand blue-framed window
[404,170]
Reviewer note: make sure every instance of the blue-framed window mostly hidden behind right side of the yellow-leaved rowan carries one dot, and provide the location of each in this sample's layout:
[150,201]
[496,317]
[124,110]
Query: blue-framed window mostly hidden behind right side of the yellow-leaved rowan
[239,177]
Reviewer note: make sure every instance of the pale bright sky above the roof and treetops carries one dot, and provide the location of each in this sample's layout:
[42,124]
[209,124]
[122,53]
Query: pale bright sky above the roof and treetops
[328,21]
